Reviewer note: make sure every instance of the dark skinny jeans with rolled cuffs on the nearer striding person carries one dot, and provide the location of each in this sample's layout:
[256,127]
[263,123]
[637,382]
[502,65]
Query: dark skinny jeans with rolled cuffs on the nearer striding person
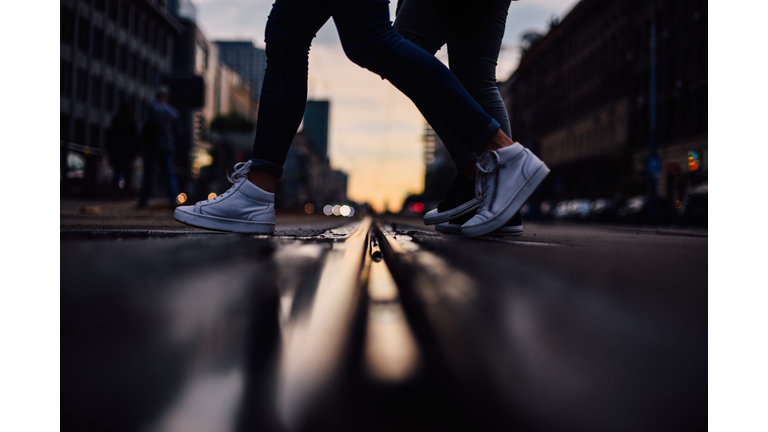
[368,40]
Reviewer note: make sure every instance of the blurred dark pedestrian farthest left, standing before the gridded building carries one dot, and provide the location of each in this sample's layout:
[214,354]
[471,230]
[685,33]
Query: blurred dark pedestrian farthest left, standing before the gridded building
[122,146]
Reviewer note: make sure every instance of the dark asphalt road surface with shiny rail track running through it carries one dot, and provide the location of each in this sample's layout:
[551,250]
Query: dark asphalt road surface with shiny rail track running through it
[378,324]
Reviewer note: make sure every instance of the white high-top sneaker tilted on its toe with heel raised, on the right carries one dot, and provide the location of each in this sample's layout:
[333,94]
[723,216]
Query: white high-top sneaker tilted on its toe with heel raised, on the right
[506,177]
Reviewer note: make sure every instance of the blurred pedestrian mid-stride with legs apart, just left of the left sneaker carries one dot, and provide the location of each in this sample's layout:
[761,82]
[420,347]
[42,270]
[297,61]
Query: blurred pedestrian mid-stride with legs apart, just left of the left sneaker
[160,131]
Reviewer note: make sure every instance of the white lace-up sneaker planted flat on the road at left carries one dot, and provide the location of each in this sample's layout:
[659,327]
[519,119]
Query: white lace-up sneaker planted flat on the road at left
[244,208]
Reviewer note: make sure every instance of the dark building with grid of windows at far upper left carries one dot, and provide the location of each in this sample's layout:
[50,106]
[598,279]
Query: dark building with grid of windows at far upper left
[110,51]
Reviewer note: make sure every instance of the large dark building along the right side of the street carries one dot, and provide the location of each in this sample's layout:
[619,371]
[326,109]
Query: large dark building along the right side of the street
[580,98]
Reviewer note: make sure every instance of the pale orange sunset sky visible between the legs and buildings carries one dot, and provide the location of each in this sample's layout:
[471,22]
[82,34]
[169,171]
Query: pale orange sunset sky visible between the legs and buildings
[375,131]
